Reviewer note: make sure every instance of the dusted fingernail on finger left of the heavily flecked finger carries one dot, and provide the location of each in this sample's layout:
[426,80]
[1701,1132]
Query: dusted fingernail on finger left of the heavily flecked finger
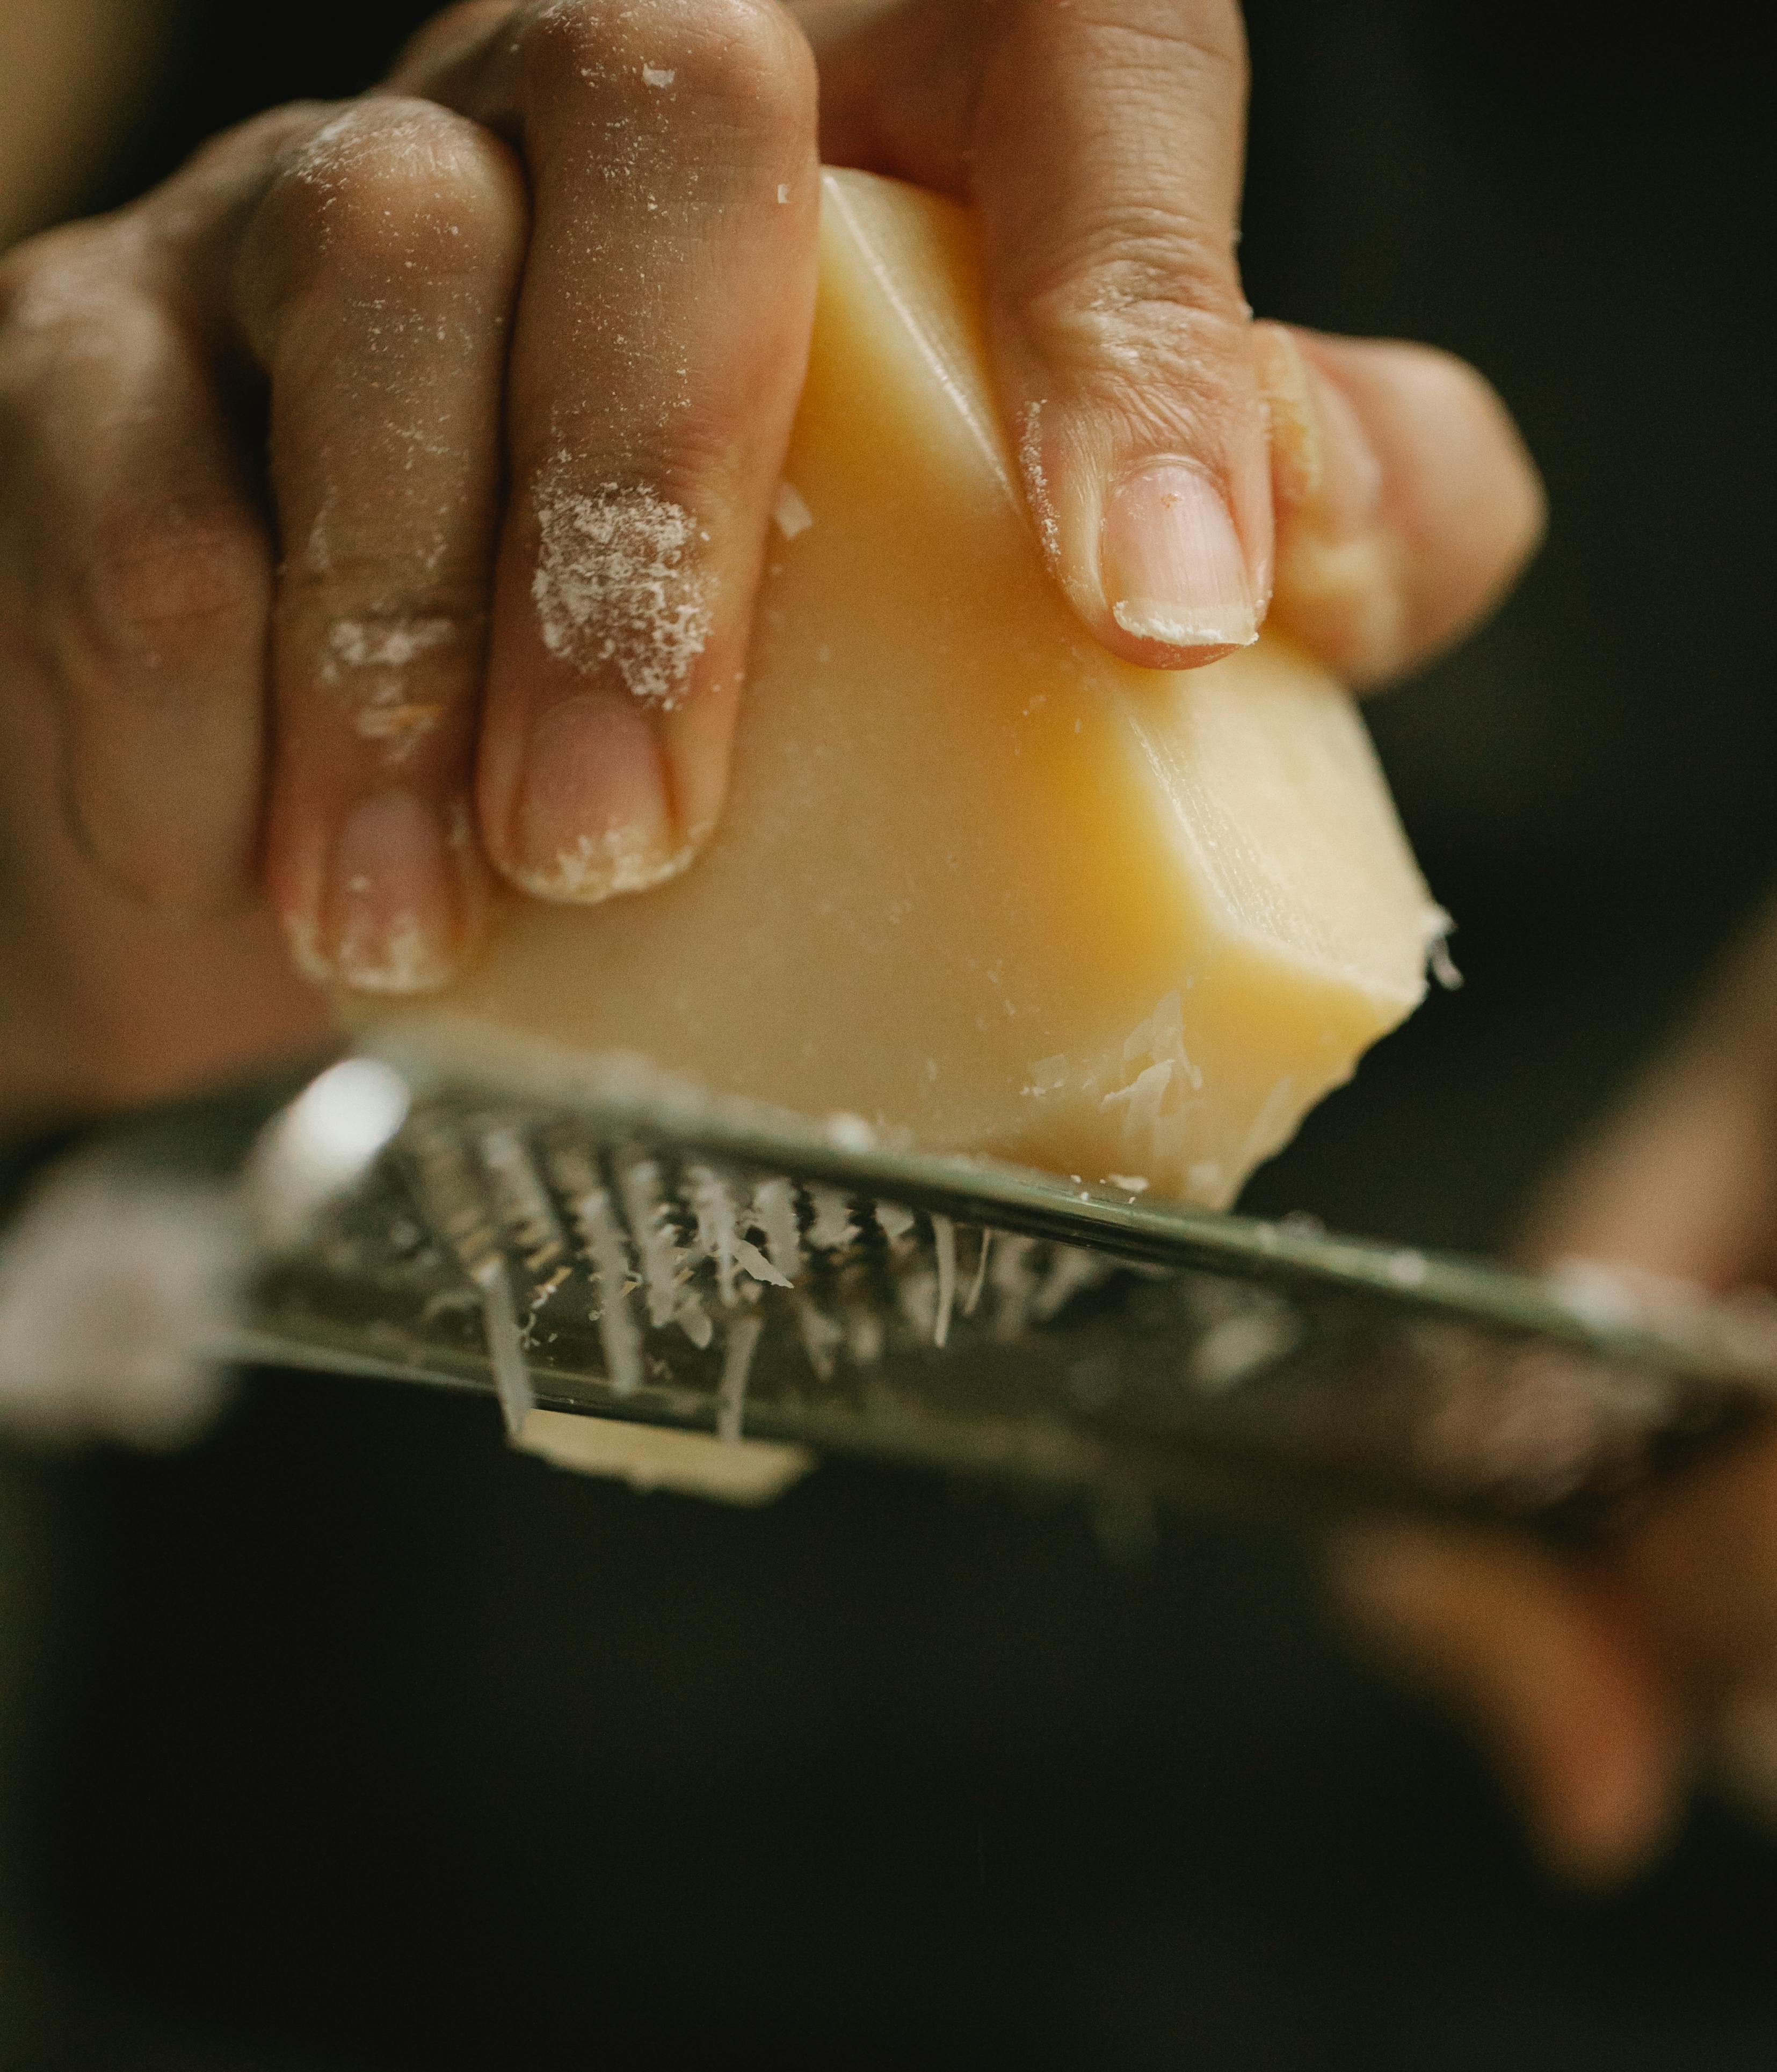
[392,909]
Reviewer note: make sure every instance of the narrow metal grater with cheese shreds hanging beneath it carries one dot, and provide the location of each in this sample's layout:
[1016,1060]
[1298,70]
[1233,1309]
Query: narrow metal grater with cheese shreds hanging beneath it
[591,1242]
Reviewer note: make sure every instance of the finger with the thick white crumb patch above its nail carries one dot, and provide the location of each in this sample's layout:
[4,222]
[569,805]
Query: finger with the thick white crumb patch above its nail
[658,362]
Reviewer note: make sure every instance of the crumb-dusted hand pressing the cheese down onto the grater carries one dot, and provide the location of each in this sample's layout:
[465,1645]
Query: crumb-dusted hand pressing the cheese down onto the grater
[382,500]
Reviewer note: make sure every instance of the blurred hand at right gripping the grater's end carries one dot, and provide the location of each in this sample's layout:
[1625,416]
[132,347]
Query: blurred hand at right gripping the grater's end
[1606,1683]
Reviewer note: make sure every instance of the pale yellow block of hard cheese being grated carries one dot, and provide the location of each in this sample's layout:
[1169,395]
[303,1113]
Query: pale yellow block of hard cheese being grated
[979,882]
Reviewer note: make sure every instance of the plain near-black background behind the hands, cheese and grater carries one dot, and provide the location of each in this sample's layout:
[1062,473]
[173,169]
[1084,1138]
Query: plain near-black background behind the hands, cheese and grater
[355,1742]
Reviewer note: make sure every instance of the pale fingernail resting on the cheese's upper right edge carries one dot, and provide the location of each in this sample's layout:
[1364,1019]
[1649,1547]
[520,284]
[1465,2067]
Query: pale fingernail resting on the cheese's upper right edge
[1173,565]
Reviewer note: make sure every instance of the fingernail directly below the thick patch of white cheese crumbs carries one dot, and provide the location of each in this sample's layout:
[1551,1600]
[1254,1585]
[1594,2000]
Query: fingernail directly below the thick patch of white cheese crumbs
[593,815]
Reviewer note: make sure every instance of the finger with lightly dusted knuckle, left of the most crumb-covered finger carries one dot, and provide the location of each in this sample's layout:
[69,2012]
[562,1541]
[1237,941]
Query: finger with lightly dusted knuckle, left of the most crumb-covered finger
[376,287]
